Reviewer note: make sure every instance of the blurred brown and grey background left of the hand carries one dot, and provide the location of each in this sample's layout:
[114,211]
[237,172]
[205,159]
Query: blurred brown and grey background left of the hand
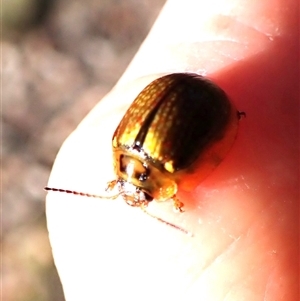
[59,58]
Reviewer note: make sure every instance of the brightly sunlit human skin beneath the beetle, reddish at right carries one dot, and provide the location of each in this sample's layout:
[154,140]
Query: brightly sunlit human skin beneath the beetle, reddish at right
[244,215]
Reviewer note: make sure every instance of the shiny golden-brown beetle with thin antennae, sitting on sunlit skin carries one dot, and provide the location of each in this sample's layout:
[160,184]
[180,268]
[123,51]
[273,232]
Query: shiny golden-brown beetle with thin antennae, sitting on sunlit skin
[176,131]
